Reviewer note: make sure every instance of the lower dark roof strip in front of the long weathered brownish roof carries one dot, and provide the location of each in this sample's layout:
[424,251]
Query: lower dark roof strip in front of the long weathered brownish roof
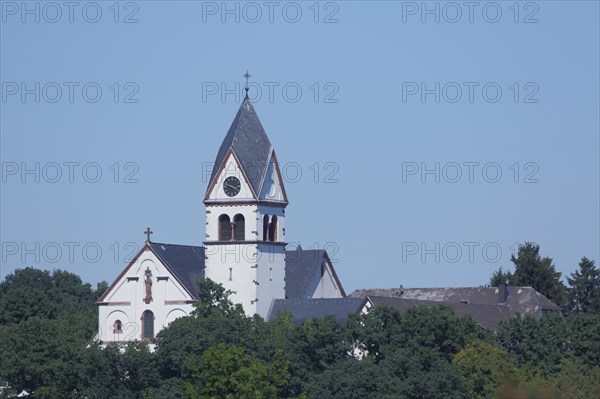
[487,316]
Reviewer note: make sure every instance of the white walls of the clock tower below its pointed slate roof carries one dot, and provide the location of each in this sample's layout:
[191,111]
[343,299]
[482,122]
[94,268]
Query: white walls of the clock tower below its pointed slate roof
[252,267]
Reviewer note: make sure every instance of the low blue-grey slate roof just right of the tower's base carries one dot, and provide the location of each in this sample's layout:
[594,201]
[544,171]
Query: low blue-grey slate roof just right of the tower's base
[306,309]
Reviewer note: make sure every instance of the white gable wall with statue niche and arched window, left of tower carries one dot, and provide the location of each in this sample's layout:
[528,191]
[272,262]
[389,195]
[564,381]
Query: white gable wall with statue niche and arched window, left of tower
[124,301]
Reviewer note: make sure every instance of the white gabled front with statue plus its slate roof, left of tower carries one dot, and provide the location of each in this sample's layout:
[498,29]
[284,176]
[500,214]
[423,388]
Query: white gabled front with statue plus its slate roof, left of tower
[156,287]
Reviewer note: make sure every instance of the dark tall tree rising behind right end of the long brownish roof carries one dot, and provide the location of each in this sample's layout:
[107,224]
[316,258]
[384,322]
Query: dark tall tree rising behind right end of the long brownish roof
[537,272]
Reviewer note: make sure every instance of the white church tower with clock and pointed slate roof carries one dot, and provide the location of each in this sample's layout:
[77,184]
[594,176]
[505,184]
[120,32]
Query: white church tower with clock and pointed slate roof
[245,216]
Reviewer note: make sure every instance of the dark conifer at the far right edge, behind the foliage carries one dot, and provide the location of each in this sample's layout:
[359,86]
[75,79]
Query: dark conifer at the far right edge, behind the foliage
[584,291]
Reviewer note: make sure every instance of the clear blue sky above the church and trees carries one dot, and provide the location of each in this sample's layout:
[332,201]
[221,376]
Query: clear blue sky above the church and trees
[429,136]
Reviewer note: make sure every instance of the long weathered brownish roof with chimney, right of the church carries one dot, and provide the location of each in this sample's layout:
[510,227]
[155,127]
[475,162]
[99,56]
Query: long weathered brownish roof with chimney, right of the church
[523,300]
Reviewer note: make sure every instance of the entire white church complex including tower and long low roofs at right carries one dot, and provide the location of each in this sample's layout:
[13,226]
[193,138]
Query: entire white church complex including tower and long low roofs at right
[245,251]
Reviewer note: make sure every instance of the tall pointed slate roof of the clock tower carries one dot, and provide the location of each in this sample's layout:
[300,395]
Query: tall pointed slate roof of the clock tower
[250,144]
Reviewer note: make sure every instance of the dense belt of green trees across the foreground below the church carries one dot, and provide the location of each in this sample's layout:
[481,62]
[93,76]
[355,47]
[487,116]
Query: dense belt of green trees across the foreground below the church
[218,352]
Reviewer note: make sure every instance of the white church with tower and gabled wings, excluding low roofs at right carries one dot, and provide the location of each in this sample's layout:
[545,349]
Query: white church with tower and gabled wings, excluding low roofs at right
[244,249]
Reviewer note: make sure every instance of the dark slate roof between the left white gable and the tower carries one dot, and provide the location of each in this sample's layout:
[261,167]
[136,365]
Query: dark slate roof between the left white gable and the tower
[185,262]
